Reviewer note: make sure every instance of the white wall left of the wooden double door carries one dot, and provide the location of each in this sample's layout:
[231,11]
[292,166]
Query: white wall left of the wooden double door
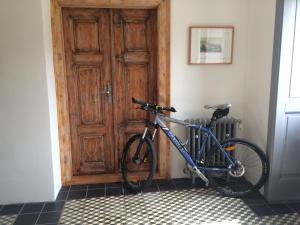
[28,131]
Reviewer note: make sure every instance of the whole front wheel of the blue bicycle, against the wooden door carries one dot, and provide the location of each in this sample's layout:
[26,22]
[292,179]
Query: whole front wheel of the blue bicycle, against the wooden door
[138,163]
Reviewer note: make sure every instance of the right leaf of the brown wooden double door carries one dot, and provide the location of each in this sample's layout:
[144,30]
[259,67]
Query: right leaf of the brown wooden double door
[135,70]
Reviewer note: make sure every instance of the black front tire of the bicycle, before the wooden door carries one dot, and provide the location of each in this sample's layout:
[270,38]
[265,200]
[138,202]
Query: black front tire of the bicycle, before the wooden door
[140,185]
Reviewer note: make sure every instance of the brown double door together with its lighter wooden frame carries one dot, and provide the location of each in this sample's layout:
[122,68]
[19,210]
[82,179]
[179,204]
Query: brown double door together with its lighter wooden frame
[106,56]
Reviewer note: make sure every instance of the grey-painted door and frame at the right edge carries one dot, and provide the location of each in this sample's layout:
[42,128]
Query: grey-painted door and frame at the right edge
[284,122]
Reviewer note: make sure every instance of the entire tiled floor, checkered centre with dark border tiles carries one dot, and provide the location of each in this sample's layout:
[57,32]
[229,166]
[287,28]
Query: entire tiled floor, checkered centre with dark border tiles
[164,202]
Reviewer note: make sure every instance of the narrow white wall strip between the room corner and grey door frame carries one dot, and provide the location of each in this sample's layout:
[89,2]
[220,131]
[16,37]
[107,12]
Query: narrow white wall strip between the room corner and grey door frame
[261,24]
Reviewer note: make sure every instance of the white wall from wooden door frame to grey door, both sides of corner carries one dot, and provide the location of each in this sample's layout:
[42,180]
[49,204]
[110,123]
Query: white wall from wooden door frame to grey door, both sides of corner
[245,84]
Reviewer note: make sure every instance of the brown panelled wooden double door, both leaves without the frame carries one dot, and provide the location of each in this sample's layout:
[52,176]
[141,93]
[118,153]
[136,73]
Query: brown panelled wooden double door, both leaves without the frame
[110,57]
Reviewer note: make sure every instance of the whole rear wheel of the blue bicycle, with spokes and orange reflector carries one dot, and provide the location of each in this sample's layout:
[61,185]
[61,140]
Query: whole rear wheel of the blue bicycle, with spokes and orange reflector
[248,175]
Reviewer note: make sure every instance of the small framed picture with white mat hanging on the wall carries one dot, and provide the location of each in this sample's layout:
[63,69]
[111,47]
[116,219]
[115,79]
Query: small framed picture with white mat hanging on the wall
[211,45]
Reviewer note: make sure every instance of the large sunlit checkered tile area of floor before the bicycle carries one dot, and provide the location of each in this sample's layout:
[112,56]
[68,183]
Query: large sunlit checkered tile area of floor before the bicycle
[195,206]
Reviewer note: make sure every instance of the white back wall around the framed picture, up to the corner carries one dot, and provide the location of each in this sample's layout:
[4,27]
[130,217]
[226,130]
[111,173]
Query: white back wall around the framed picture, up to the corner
[194,86]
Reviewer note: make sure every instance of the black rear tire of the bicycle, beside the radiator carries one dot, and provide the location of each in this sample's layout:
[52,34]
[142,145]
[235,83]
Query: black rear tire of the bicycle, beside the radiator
[236,192]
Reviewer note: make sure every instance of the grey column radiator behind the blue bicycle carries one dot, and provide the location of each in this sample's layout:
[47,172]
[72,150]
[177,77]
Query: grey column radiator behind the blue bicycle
[224,128]
